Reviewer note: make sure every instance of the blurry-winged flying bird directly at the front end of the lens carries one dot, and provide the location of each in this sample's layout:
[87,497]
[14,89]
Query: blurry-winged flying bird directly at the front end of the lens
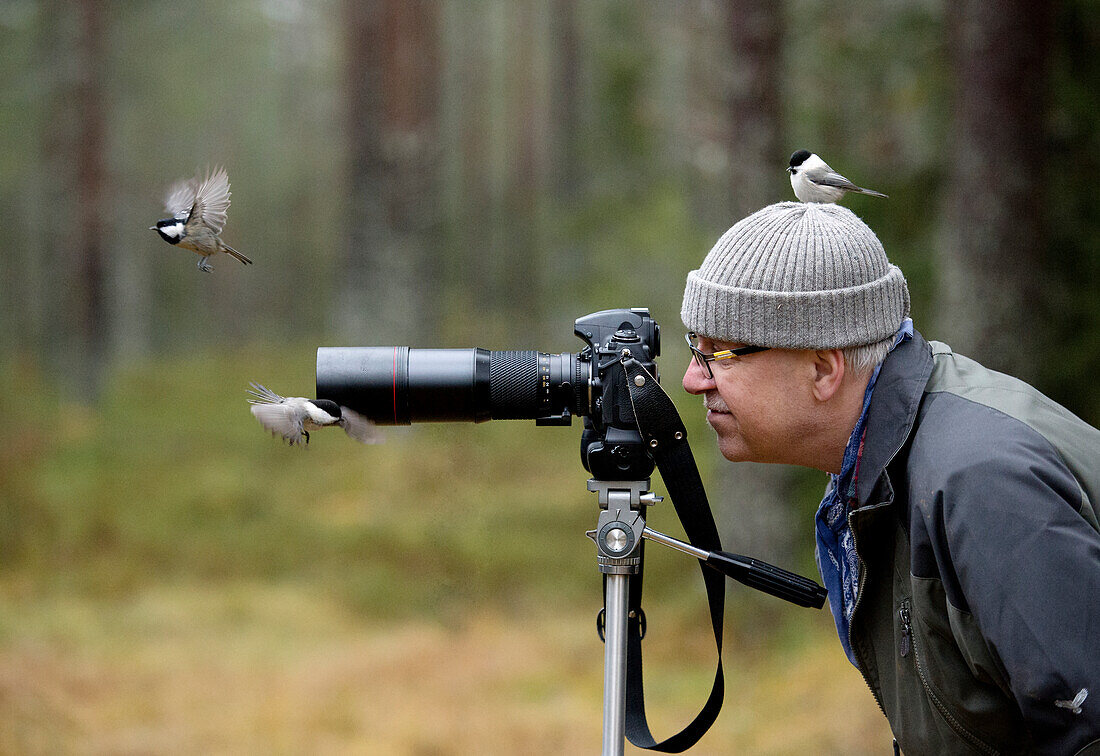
[293,418]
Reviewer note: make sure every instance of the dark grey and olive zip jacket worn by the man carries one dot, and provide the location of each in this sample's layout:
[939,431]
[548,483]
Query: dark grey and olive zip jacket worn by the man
[977,621]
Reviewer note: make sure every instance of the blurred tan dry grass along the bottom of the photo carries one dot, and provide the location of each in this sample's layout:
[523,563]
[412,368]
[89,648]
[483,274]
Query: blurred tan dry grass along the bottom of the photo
[261,670]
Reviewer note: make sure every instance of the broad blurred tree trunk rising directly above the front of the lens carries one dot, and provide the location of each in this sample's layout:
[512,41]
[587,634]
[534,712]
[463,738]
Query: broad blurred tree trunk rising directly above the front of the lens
[390,270]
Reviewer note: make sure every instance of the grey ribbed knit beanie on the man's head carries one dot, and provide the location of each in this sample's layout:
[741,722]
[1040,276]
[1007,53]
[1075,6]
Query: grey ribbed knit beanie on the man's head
[797,276]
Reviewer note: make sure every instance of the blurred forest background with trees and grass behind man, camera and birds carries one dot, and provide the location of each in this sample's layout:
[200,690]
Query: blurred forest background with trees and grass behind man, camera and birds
[455,174]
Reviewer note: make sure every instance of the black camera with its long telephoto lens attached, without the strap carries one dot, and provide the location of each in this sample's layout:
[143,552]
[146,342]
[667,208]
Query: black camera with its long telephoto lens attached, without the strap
[399,386]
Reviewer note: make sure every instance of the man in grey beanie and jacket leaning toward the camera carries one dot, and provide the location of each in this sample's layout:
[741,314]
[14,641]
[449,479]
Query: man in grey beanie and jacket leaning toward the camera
[959,535]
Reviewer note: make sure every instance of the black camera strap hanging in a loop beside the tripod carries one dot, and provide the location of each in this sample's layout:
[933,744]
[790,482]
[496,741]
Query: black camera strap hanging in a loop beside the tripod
[665,434]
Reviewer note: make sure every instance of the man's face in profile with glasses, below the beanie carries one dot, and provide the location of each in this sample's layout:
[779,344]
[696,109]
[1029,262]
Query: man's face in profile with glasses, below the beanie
[760,404]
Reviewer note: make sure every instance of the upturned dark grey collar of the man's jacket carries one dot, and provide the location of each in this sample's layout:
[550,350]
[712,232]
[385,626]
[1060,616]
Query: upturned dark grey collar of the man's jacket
[893,413]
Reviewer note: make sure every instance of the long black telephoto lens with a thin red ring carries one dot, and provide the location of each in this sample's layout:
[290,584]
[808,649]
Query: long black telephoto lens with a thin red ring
[399,386]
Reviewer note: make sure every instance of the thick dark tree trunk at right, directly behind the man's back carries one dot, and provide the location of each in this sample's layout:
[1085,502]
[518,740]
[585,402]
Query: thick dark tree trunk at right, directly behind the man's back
[992,257]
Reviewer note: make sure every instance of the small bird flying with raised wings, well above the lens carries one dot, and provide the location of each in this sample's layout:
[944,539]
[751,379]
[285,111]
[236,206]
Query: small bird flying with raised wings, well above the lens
[199,215]
